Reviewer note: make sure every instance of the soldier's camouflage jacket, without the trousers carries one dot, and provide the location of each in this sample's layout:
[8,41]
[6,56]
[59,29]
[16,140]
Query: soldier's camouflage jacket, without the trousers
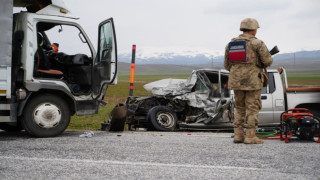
[247,76]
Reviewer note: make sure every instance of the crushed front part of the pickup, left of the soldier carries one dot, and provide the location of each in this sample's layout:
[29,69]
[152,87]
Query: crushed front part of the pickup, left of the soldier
[202,101]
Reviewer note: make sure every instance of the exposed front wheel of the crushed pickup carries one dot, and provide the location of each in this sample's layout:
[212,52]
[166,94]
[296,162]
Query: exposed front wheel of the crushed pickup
[162,118]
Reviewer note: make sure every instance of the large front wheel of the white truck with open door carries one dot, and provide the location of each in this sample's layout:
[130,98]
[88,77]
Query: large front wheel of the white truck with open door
[46,116]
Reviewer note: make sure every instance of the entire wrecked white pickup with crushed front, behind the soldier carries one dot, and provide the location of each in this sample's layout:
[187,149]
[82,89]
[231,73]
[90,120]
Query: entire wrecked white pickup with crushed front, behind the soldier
[190,104]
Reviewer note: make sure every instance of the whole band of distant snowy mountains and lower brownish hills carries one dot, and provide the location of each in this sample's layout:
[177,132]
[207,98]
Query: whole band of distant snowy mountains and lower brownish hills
[175,63]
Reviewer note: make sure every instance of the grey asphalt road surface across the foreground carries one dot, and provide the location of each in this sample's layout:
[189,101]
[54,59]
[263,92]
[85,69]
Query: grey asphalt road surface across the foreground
[154,155]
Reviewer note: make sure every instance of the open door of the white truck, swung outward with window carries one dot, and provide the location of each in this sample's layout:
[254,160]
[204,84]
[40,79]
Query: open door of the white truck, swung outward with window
[105,66]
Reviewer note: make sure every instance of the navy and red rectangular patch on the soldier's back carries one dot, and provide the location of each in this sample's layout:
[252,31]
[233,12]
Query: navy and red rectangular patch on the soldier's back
[237,51]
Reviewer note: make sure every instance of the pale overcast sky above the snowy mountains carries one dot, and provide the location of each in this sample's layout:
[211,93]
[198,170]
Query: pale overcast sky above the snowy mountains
[205,25]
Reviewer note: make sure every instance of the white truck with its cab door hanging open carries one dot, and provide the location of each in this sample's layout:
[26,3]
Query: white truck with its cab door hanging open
[49,69]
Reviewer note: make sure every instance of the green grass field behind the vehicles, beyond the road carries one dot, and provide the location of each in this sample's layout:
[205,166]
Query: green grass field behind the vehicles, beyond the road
[118,93]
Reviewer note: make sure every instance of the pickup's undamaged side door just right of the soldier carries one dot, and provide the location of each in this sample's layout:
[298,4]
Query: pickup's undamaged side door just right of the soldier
[266,113]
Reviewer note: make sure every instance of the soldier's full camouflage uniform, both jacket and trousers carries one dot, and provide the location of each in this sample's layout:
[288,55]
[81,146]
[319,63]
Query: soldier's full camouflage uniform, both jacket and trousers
[247,81]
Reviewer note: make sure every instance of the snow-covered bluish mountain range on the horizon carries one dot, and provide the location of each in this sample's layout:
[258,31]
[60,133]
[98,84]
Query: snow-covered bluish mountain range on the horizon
[198,57]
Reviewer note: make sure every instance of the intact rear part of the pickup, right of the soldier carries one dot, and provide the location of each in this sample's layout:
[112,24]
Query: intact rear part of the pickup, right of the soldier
[279,97]
